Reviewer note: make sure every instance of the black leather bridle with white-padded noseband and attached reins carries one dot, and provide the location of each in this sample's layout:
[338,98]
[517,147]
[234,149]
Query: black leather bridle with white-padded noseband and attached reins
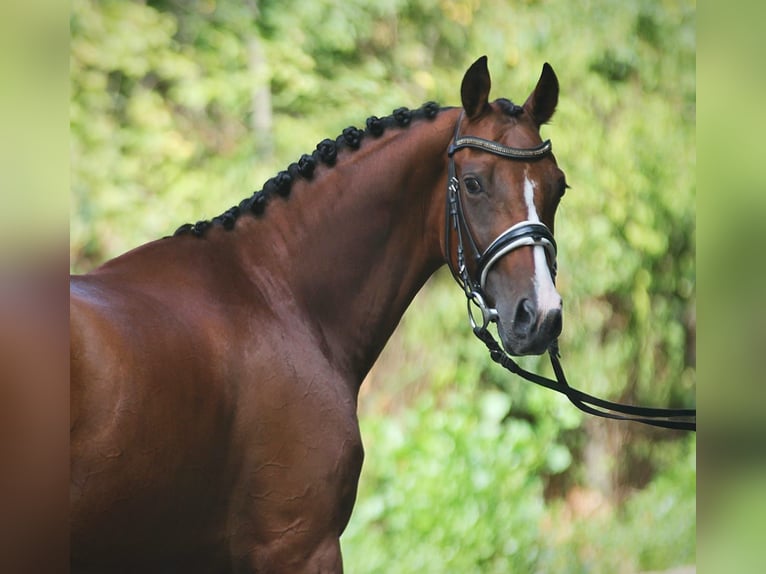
[526,233]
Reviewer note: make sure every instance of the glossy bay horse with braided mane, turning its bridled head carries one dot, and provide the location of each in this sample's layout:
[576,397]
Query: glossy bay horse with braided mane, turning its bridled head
[215,372]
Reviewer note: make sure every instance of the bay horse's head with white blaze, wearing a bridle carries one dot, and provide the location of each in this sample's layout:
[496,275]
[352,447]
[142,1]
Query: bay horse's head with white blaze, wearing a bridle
[505,188]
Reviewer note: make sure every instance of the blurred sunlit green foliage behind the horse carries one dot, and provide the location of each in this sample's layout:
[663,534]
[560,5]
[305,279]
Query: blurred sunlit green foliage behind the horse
[467,469]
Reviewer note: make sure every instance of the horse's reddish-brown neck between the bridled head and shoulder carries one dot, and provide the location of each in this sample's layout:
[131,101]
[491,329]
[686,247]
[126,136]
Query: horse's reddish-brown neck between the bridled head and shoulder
[358,243]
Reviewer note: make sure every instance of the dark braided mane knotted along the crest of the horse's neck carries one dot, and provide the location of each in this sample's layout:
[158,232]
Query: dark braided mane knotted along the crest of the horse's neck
[326,153]
